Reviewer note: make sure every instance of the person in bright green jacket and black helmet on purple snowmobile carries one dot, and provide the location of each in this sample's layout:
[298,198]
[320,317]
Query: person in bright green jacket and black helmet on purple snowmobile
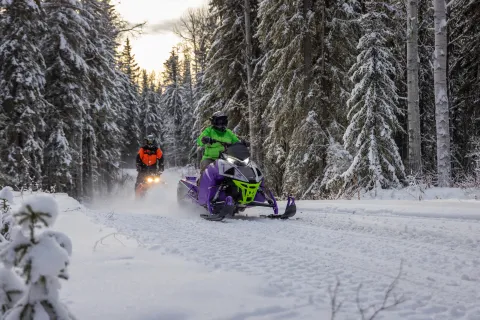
[217,131]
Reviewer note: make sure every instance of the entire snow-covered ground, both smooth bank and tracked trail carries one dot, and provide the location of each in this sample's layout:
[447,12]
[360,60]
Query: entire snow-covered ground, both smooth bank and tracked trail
[157,261]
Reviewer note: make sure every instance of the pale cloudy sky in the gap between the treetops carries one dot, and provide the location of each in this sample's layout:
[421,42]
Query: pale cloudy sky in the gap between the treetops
[153,46]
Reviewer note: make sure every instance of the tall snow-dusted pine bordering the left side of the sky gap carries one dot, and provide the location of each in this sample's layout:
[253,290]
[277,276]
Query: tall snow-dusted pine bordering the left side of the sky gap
[112,115]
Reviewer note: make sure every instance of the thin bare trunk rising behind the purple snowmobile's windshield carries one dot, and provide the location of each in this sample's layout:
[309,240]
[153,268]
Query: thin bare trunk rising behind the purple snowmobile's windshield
[248,63]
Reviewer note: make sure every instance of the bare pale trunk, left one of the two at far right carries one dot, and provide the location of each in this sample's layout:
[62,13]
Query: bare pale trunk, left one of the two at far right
[414,137]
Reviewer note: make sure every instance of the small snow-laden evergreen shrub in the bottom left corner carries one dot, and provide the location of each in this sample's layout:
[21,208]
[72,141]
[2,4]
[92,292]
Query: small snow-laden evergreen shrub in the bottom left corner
[42,256]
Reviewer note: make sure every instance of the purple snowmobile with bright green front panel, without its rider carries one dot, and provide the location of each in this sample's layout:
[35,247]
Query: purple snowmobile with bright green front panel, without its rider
[230,185]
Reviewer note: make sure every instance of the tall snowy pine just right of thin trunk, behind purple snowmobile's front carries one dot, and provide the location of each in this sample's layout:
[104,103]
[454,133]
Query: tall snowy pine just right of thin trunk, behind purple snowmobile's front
[281,40]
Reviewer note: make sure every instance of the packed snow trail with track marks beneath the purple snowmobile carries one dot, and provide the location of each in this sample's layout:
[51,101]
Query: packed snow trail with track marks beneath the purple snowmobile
[299,260]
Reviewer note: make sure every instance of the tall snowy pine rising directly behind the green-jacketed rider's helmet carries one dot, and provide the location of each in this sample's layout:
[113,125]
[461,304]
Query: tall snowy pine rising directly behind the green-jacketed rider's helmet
[224,92]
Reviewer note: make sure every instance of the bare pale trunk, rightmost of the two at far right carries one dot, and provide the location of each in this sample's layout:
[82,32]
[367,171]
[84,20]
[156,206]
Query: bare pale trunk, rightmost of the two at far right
[442,116]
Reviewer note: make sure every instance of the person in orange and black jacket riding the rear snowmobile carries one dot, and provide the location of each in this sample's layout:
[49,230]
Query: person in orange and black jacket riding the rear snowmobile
[149,159]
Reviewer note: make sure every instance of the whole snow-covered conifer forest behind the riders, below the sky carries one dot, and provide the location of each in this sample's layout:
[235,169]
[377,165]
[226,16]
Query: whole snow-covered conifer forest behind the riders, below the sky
[334,96]
